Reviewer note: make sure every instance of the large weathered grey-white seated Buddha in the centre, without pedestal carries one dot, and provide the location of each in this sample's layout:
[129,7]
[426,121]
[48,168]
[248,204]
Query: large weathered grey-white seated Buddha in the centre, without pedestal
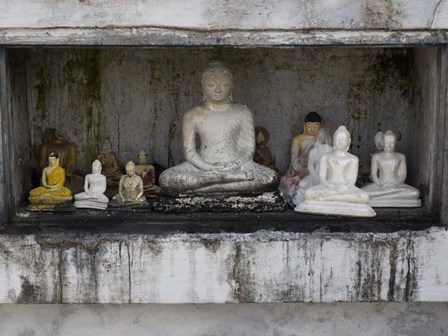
[225,130]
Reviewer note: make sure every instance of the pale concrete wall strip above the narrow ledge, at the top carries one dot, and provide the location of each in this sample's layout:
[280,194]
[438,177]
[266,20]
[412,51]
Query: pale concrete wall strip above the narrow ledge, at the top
[225,14]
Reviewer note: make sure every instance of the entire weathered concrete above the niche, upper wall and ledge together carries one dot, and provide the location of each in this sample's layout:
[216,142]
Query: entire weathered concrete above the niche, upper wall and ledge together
[223,22]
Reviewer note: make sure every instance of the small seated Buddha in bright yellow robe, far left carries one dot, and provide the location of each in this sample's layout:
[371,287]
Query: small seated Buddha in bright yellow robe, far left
[52,190]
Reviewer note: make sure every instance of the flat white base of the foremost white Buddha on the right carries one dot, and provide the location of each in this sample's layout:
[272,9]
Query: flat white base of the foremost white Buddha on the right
[335,209]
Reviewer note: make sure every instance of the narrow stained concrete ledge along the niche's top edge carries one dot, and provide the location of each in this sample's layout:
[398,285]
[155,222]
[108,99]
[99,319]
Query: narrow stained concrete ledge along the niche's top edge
[168,37]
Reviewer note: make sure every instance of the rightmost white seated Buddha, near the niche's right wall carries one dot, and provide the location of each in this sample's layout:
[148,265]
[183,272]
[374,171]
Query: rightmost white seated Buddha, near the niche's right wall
[388,173]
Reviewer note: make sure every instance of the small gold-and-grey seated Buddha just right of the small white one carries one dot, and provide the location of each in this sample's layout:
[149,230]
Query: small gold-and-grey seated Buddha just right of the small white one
[130,189]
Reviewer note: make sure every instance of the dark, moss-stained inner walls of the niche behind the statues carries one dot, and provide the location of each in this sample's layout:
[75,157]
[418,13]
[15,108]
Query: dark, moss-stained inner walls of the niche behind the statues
[137,97]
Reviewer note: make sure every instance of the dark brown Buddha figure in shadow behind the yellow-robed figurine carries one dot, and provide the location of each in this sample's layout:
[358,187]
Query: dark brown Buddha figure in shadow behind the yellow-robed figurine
[65,149]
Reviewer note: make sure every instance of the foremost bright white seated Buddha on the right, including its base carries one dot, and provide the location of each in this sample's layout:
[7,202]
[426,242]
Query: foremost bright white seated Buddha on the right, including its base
[337,194]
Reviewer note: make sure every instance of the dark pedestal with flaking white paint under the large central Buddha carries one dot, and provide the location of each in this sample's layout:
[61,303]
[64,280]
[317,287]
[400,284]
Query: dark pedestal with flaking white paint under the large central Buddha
[264,202]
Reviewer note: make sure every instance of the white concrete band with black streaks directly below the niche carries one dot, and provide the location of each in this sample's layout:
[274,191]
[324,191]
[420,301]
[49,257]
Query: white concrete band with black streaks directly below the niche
[217,268]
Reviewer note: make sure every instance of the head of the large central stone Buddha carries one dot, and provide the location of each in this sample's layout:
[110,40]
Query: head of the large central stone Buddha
[217,84]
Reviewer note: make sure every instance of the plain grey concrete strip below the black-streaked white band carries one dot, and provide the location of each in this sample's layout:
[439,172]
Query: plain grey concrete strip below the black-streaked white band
[367,319]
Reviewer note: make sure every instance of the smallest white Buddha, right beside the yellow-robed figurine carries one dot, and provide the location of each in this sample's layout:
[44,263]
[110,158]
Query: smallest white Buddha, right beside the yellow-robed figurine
[95,185]
